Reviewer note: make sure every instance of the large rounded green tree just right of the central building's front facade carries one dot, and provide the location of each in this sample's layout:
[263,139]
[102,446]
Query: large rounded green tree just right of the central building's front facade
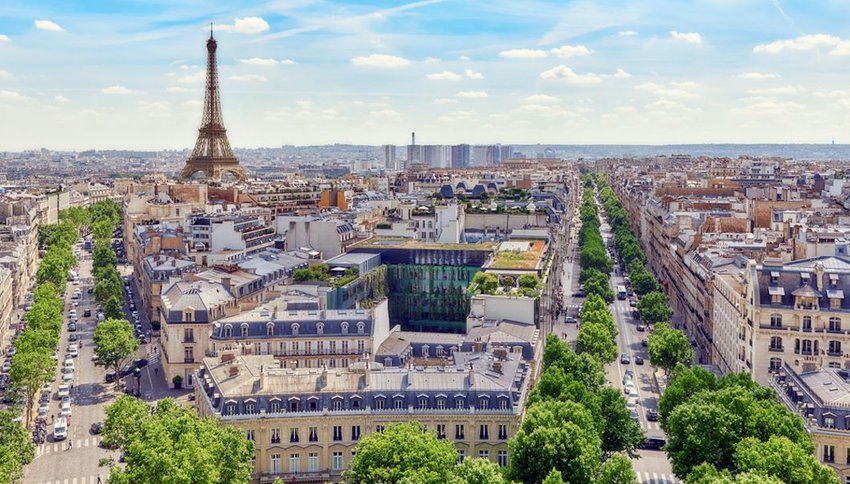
[556,435]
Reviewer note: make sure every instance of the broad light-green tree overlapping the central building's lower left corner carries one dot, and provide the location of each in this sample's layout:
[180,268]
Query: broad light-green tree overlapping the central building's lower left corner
[172,444]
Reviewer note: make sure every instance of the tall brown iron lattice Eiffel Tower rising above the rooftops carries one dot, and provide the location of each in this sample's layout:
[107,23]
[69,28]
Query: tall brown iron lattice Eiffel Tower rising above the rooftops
[212,154]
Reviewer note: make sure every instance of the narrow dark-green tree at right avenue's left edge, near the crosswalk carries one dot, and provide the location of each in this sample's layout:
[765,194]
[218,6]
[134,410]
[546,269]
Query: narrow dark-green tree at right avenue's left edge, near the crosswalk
[619,432]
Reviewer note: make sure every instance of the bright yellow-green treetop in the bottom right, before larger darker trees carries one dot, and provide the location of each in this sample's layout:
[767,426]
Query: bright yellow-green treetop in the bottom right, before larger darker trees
[783,459]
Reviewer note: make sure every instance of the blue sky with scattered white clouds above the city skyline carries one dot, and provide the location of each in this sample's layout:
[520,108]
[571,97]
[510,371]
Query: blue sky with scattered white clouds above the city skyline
[113,74]
